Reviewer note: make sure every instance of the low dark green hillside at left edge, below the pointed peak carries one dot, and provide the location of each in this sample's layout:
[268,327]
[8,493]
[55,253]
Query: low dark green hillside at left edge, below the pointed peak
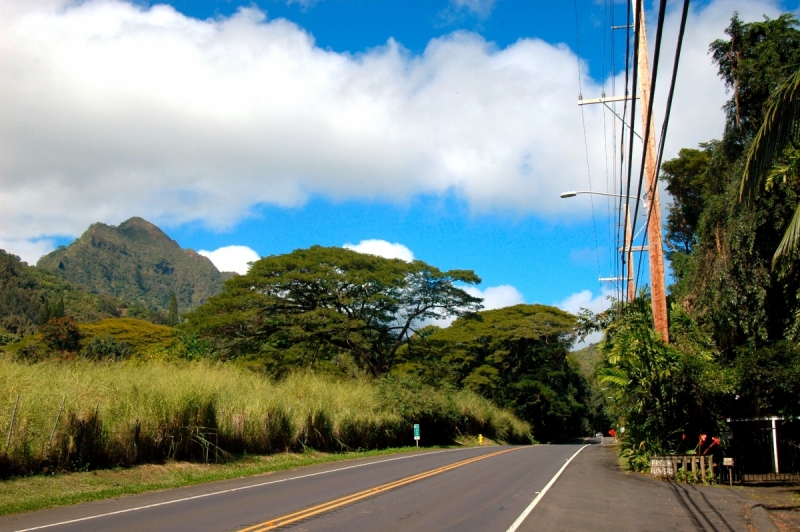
[24,290]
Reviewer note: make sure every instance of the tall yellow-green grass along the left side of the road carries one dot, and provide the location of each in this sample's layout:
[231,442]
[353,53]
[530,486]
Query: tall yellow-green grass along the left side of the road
[119,414]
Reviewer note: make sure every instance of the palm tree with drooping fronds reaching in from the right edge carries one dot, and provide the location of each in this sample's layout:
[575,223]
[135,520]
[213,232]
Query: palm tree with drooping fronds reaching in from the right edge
[781,126]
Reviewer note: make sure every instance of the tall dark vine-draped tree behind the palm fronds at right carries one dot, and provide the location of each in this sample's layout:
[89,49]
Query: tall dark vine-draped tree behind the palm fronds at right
[725,276]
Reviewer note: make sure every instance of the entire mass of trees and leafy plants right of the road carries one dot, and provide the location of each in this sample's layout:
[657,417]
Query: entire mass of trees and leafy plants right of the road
[731,238]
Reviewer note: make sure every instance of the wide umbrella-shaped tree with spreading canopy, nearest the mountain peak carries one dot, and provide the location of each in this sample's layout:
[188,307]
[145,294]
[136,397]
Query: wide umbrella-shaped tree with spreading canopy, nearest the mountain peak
[315,304]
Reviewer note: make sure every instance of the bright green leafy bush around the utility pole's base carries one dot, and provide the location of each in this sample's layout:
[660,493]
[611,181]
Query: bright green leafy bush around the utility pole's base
[663,395]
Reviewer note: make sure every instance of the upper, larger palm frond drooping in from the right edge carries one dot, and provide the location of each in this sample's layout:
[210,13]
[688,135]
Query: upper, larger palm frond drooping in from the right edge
[779,127]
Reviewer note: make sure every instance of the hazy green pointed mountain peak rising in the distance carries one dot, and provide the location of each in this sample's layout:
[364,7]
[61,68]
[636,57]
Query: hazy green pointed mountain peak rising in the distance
[138,263]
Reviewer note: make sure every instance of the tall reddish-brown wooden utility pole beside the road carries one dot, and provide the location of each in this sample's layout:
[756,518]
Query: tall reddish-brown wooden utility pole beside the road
[658,292]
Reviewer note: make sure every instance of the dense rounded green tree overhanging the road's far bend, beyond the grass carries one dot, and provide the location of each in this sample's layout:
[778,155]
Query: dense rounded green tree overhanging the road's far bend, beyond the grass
[516,356]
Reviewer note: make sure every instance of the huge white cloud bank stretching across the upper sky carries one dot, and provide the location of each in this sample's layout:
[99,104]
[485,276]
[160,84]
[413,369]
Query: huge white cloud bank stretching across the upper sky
[112,109]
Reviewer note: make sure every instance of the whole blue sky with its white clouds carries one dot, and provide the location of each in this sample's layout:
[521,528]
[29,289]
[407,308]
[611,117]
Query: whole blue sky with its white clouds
[439,130]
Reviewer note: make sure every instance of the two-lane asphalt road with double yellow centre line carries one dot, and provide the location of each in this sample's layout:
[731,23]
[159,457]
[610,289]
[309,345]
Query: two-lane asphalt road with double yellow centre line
[463,489]
